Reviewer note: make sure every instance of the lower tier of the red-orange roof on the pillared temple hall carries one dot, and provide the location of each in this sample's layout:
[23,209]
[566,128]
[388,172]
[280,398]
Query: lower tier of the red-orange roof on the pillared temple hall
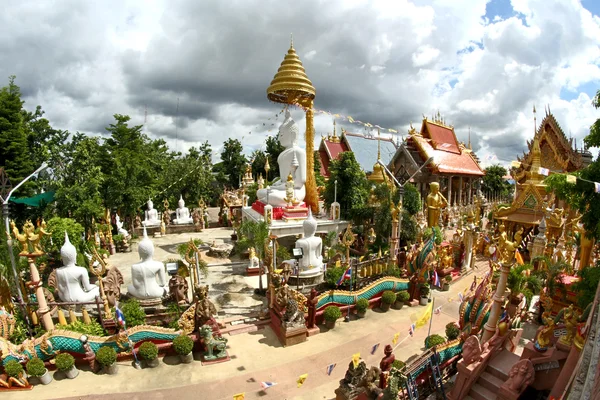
[447,162]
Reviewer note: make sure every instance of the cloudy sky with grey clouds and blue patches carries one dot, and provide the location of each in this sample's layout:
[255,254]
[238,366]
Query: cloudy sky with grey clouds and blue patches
[482,64]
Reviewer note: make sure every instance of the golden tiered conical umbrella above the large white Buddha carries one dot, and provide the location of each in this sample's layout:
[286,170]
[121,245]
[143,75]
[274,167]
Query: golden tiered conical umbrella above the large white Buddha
[291,84]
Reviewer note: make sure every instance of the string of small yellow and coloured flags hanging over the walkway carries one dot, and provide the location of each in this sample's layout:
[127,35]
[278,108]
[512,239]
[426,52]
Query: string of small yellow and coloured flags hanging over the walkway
[356,357]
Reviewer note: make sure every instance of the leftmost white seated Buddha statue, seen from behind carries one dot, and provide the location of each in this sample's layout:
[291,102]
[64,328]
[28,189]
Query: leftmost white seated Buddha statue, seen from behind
[73,282]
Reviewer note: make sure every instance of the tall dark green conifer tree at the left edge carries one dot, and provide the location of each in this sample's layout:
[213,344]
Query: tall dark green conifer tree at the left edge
[14,151]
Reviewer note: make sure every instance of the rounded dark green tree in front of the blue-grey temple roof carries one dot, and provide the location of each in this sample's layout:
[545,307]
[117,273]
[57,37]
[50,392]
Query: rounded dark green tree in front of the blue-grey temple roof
[352,186]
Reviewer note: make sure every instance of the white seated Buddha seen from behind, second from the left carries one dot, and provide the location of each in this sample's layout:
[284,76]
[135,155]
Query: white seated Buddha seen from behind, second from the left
[148,279]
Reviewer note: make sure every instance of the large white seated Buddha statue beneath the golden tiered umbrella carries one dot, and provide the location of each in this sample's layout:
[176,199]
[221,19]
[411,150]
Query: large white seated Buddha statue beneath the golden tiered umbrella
[291,161]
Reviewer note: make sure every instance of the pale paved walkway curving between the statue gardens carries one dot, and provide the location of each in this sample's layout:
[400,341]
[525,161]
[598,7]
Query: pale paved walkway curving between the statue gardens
[258,356]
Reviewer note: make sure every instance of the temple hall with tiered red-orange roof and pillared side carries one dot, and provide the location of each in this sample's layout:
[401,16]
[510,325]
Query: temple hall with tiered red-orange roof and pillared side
[454,165]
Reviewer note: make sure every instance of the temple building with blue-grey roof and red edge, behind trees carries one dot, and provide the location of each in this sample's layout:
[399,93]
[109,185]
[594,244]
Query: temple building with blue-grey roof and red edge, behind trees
[364,147]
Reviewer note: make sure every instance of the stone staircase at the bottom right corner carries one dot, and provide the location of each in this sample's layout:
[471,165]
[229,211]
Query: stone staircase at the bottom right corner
[494,376]
